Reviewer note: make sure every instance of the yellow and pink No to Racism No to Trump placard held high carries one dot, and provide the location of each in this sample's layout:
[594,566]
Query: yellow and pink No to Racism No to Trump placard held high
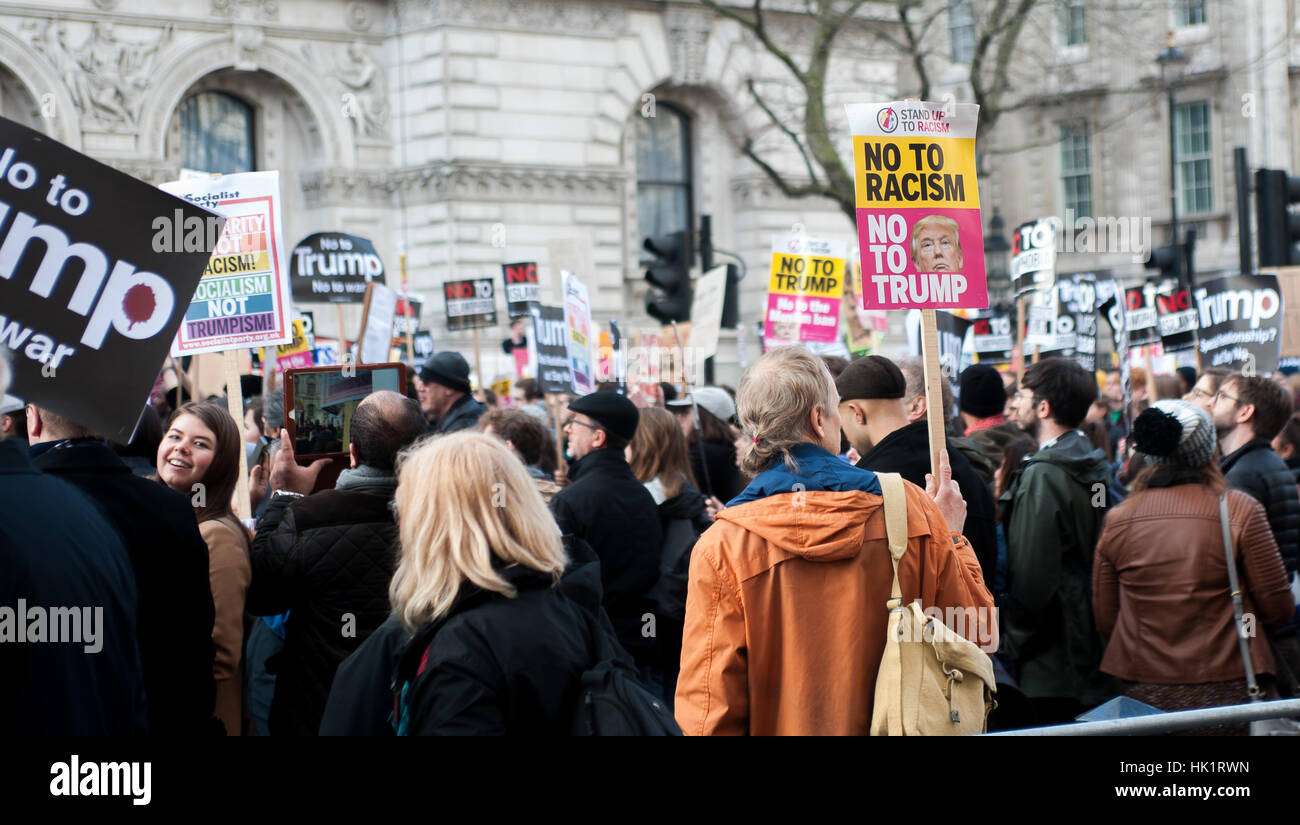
[918,206]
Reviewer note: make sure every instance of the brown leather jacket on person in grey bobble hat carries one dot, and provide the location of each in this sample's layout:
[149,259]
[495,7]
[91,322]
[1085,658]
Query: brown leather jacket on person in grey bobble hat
[1160,587]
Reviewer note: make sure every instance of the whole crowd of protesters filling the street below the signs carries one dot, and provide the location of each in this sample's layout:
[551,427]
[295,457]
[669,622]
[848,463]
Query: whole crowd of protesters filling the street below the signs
[470,558]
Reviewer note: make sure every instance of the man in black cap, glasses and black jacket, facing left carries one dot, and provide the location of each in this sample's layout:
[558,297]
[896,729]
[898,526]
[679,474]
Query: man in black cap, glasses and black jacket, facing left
[608,507]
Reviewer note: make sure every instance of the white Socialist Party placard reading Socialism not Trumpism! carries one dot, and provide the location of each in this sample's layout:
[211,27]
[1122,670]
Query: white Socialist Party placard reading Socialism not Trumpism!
[244,297]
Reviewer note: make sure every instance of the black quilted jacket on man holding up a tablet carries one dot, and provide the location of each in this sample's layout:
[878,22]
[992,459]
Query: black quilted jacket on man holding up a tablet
[328,559]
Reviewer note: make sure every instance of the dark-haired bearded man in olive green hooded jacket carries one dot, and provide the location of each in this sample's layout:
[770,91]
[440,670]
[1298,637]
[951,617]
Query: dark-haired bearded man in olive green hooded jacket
[1052,513]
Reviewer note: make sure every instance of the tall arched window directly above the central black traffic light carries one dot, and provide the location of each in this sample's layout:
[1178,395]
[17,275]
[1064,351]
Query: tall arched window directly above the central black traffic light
[664,172]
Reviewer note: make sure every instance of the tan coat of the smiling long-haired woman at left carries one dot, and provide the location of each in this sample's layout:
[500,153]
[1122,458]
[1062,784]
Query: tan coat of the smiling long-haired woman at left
[229,572]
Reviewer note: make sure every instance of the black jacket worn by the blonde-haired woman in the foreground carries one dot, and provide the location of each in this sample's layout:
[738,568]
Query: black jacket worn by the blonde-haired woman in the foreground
[496,667]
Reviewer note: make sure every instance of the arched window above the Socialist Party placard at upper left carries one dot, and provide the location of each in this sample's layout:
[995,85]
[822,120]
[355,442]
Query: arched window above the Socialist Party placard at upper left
[216,134]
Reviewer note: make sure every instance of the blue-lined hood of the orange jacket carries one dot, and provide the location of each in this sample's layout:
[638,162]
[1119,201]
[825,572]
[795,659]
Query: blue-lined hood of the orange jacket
[818,514]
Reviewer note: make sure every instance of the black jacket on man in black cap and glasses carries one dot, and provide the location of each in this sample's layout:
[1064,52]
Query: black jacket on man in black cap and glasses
[612,511]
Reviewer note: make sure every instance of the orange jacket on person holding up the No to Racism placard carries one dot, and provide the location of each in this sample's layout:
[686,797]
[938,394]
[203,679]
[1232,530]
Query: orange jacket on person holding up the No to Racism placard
[786,610]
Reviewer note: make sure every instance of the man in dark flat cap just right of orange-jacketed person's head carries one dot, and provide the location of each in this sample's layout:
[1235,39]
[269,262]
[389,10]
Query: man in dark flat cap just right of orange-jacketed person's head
[876,423]
